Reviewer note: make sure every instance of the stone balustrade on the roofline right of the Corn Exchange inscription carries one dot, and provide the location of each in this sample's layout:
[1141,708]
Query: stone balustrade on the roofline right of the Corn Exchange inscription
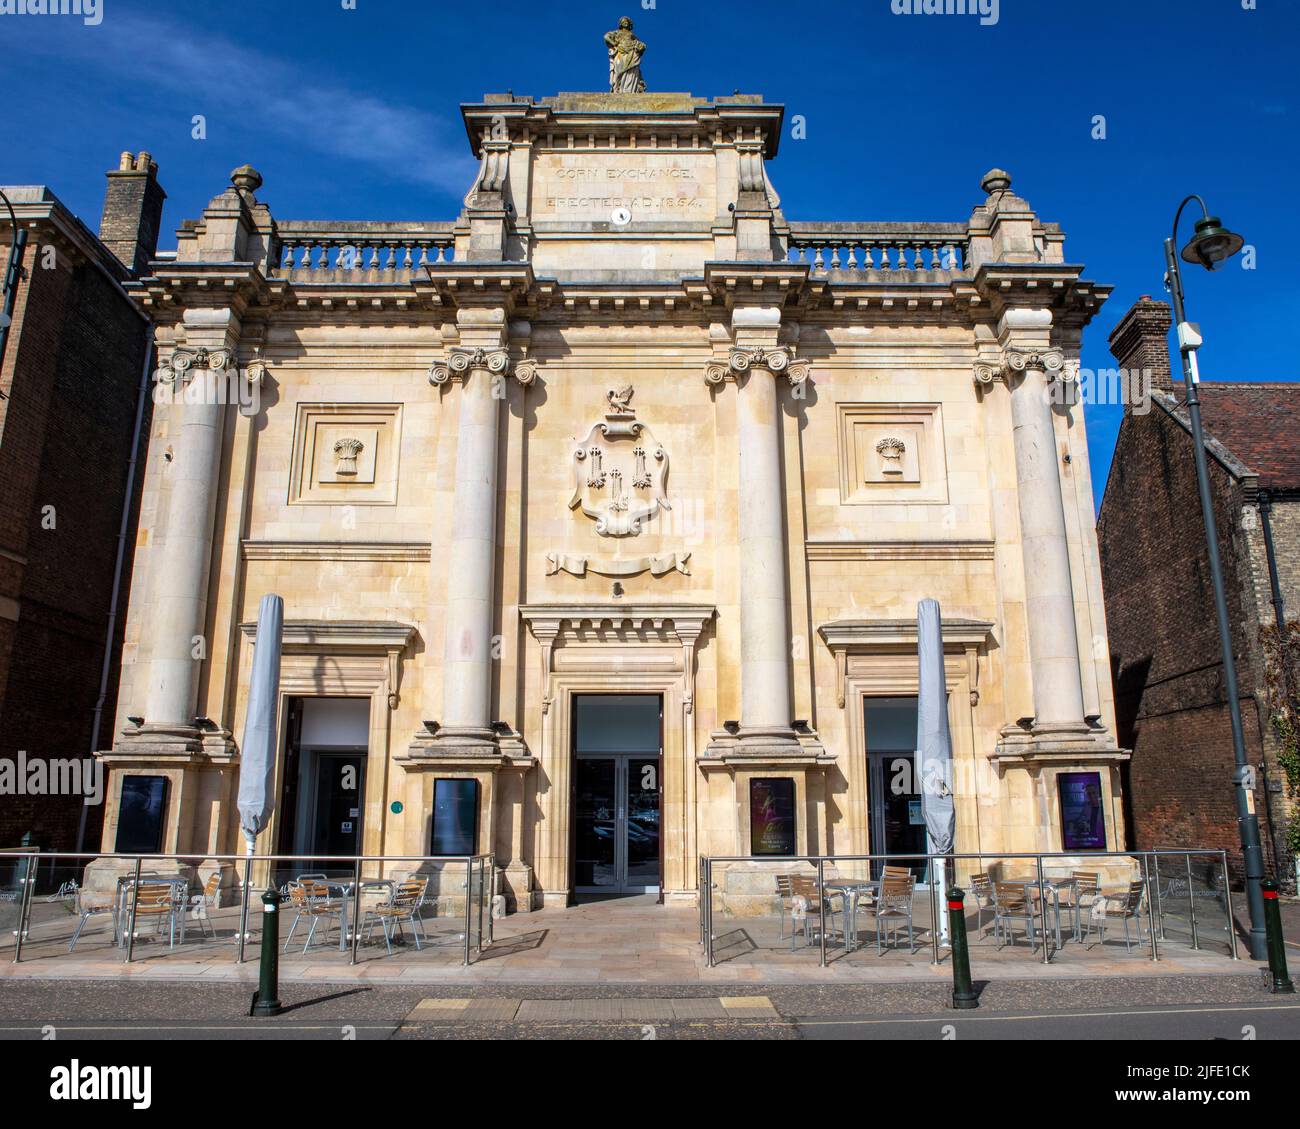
[882,248]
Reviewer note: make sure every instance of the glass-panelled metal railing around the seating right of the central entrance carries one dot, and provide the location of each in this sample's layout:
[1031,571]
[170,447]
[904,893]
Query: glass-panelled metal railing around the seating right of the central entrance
[1019,907]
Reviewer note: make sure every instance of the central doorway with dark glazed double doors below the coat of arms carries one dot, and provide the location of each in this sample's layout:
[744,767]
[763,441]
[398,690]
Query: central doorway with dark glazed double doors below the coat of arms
[618,784]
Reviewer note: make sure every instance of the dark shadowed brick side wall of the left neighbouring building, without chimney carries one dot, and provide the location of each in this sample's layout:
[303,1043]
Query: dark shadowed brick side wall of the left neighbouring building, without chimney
[72,373]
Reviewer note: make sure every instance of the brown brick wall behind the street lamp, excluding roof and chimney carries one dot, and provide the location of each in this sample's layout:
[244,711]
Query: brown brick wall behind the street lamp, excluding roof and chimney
[1171,695]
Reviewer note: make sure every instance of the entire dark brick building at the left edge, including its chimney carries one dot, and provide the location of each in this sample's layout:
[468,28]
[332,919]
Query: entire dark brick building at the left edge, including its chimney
[73,401]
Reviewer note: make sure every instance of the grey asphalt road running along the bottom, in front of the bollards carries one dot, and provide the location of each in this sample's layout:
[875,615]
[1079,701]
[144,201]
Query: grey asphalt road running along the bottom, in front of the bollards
[1156,1009]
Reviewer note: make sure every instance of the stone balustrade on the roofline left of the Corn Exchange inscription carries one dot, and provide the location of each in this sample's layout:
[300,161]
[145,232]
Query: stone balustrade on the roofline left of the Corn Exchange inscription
[379,252]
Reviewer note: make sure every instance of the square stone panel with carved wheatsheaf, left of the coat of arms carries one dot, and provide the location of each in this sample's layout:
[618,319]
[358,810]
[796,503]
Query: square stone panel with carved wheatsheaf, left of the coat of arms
[322,472]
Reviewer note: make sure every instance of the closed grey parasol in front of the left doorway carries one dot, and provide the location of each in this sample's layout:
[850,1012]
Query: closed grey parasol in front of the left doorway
[259,752]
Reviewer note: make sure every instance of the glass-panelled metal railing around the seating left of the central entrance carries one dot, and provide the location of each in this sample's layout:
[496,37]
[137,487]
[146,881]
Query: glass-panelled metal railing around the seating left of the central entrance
[171,909]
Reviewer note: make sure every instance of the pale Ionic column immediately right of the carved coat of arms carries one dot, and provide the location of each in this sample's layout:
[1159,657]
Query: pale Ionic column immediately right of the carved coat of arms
[766,708]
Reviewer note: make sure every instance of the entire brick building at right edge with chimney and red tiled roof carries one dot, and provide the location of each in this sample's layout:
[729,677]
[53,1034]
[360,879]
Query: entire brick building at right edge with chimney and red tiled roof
[1164,637]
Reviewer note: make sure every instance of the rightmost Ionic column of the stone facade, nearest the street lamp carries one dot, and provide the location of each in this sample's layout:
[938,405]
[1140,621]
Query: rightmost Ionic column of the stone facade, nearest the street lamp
[1048,591]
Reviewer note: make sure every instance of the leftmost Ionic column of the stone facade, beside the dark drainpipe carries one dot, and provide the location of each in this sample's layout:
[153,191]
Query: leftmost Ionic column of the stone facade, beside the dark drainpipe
[198,375]
